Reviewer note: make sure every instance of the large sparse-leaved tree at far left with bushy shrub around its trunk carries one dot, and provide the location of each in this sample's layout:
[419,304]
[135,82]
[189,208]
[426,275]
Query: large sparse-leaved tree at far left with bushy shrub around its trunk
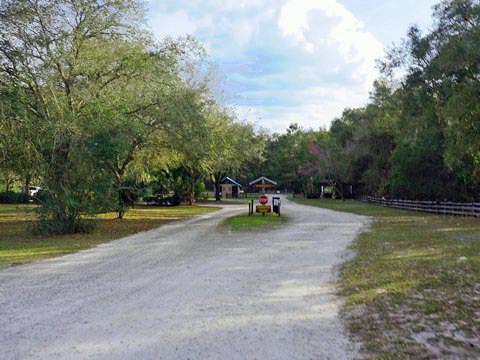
[57,56]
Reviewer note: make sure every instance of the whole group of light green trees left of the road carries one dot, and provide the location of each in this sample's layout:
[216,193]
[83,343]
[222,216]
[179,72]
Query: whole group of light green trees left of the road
[90,104]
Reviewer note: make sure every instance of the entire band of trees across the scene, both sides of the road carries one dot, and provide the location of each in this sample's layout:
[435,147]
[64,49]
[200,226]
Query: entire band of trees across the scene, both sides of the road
[99,115]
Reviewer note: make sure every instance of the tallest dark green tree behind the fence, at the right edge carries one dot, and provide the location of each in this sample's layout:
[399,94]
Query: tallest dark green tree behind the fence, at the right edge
[440,105]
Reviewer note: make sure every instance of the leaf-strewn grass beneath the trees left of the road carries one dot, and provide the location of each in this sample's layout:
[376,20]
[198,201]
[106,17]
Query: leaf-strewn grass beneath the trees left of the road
[18,245]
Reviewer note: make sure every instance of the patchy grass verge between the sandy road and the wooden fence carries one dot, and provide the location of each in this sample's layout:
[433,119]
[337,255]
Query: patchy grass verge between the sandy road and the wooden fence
[413,289]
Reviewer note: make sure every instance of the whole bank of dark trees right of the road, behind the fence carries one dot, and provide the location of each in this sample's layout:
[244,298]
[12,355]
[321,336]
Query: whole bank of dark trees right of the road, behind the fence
[418,138]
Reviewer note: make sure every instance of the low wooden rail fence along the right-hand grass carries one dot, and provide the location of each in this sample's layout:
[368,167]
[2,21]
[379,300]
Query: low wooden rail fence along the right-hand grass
[442,208]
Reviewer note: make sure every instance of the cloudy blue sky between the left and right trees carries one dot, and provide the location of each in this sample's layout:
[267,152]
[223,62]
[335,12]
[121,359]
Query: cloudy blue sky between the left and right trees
[285,61]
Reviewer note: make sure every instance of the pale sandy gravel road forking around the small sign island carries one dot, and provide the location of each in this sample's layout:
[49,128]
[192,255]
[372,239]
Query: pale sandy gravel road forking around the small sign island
[186,291]
